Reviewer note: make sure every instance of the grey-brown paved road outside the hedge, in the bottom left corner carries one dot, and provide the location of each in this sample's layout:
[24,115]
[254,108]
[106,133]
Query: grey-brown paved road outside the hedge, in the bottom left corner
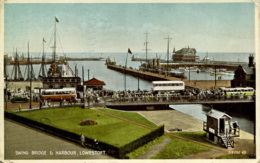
[20,140]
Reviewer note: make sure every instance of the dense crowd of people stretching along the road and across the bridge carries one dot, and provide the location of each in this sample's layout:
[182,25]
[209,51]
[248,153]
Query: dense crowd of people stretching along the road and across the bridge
[189,94]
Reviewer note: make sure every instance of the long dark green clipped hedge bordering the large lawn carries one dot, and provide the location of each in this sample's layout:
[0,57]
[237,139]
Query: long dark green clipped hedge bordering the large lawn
[118,152]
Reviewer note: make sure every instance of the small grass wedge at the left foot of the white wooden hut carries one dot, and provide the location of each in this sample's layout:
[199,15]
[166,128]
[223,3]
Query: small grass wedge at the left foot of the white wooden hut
[199,136]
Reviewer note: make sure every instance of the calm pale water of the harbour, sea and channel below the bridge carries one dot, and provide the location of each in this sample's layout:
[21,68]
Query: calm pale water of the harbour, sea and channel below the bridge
[115,80]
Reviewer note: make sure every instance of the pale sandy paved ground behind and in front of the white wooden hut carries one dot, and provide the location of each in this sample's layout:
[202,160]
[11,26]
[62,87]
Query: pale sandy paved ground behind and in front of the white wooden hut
[173,119]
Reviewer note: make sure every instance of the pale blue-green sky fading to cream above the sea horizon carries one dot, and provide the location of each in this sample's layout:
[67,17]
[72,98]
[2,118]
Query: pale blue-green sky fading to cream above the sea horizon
[115,27]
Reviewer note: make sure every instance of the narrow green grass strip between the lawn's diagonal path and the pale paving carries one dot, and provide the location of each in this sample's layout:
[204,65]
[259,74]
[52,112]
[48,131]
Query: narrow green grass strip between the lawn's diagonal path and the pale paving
[133,116]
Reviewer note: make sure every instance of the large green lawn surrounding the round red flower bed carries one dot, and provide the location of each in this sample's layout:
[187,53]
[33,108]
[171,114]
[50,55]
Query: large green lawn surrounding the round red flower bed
[109,129]
